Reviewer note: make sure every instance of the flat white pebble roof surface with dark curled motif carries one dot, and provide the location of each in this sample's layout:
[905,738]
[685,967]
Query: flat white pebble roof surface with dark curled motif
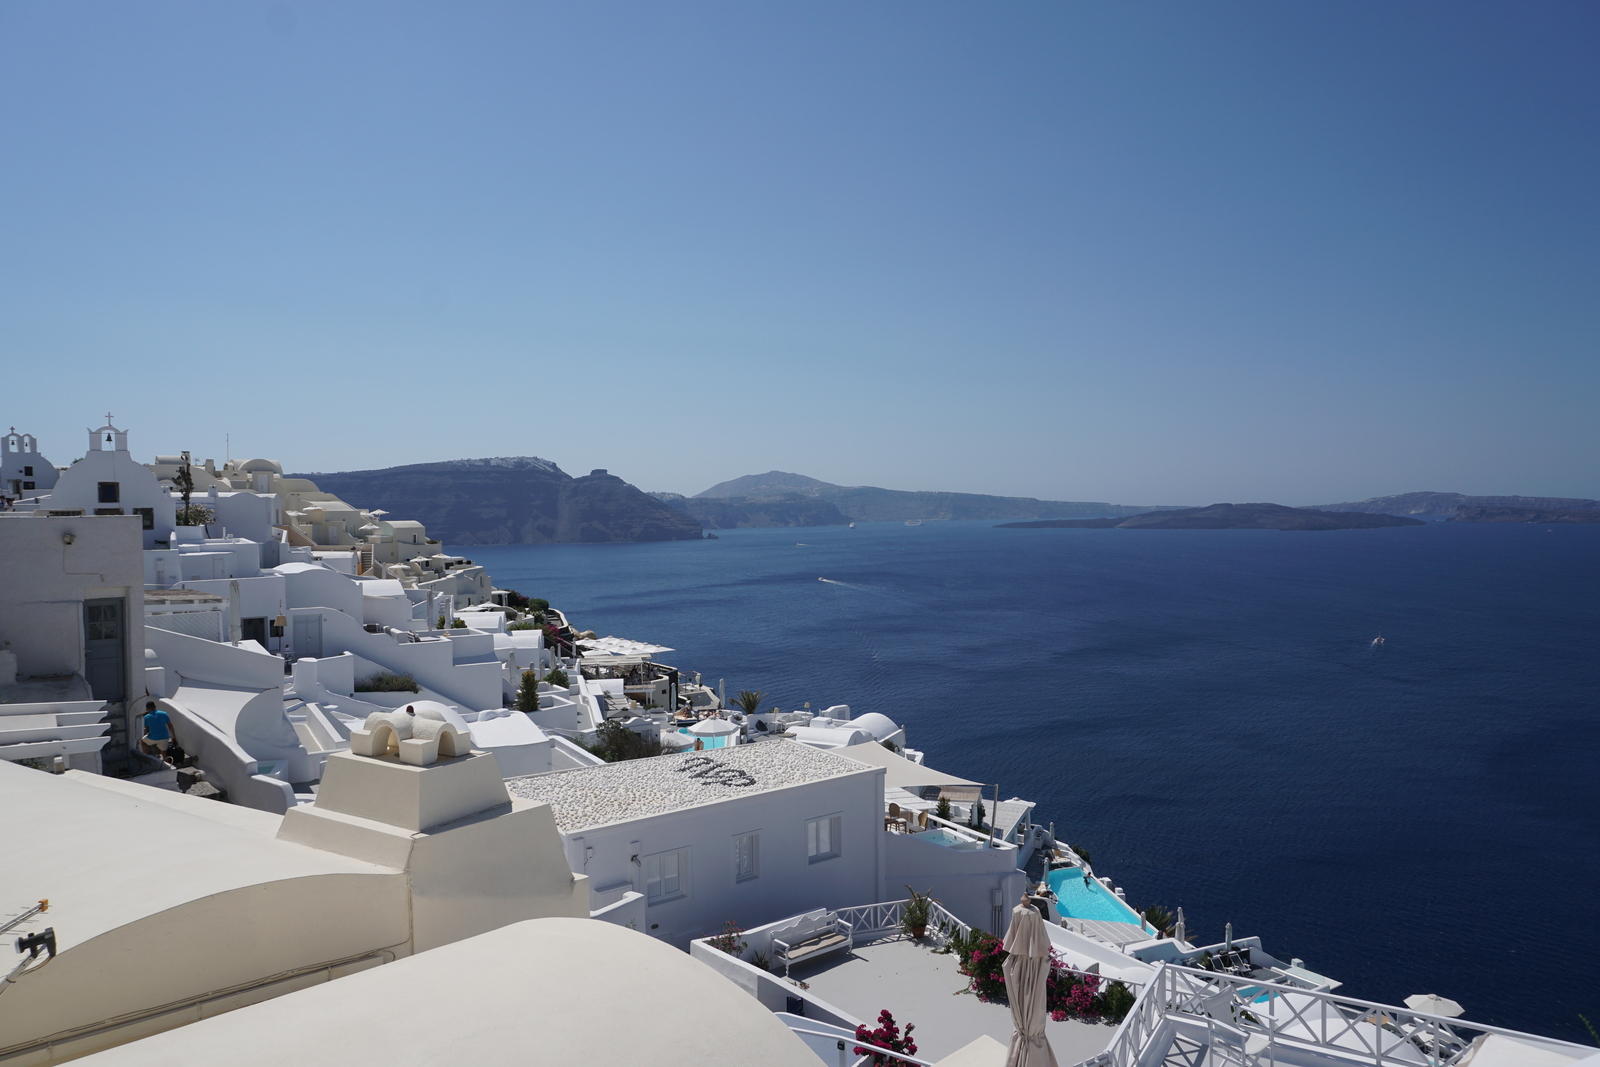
[633,789]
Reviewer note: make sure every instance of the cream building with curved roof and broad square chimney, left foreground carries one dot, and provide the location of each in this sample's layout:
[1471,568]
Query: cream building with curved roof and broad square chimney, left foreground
[167,909]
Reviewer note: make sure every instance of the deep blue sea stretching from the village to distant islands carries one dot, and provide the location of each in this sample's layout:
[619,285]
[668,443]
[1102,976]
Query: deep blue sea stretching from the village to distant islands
[1207,714]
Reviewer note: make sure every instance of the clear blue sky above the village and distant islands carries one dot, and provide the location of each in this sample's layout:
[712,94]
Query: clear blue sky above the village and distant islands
[1142,254]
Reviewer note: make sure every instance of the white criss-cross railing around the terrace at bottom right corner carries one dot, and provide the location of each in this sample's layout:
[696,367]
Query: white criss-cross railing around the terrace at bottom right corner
[1250,1018]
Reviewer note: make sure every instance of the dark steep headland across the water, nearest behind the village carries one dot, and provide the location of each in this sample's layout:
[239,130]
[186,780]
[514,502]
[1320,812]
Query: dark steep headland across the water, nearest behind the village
[511,502]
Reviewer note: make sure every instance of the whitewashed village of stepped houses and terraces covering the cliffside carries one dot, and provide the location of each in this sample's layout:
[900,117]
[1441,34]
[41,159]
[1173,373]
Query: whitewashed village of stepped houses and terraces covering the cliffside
[284,781]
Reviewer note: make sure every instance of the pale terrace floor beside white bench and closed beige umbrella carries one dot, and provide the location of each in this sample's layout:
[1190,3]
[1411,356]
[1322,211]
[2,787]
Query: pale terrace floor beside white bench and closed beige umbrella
[921,986]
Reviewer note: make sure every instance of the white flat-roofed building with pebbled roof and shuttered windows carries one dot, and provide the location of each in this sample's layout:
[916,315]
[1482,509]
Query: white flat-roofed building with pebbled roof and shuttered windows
[678,845]
